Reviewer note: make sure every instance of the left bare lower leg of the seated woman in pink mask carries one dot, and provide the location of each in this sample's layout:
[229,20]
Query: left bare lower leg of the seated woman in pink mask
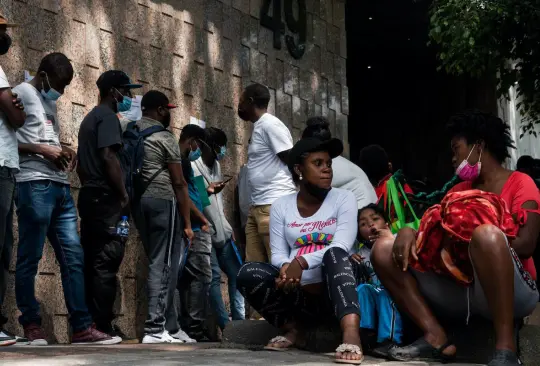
[404,290]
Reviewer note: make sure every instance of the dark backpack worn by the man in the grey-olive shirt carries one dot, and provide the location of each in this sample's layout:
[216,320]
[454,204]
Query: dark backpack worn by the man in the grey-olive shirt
[131,159]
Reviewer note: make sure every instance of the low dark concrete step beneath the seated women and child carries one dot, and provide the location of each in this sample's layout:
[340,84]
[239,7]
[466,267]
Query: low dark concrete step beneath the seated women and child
[475,342]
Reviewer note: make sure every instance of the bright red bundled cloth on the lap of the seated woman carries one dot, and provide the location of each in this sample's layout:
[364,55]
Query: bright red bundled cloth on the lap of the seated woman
[446,230]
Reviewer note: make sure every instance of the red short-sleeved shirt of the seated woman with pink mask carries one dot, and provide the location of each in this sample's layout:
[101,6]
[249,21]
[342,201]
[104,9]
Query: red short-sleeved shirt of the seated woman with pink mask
[518,189]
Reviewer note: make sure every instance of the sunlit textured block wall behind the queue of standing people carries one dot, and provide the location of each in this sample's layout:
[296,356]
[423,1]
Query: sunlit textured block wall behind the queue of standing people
[199,52]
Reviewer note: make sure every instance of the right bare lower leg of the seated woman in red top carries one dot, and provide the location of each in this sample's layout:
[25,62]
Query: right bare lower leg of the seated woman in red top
[495,270]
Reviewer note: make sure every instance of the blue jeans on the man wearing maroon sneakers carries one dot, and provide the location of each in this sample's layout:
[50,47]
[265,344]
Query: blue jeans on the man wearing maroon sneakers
[45,209]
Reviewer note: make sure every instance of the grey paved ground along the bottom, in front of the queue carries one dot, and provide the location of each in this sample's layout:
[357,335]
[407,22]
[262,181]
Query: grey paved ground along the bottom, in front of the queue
[165,355]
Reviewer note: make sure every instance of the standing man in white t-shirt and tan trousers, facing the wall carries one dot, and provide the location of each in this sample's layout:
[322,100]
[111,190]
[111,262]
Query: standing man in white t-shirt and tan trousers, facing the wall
[267,171]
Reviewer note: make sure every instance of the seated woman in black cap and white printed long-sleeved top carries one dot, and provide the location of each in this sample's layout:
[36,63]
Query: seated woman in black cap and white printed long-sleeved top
[312,233]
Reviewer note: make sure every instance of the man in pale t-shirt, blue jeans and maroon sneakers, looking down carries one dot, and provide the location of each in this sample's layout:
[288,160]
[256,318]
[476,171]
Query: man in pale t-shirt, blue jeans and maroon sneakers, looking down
[45,207]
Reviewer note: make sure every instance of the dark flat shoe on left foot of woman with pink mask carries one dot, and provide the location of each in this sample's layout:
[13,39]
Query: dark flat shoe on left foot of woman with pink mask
[421,350]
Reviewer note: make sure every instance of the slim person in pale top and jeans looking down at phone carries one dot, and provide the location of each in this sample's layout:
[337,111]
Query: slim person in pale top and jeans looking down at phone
[225,256]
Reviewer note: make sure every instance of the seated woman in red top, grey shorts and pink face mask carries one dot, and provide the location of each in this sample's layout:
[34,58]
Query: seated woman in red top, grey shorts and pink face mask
[503,288]
